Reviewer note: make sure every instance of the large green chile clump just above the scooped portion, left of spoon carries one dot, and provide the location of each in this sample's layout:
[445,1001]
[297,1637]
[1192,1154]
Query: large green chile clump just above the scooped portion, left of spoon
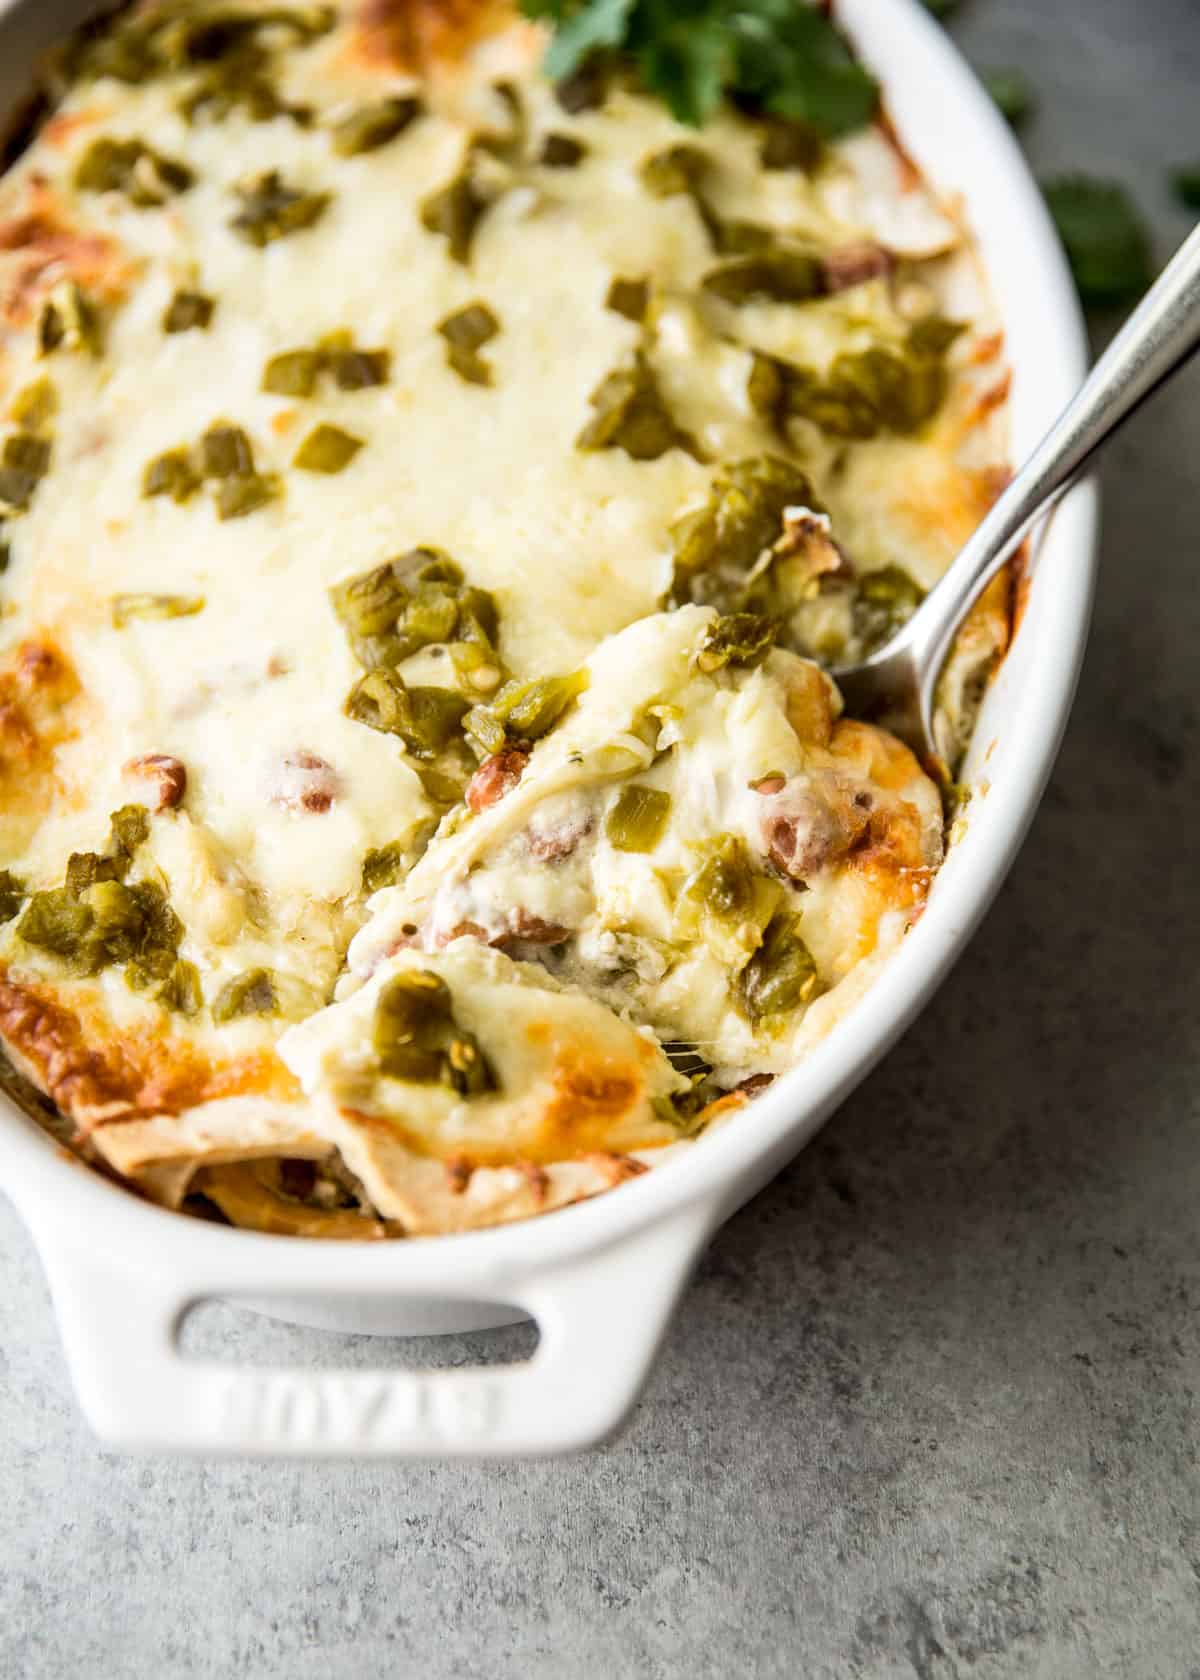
[718,545]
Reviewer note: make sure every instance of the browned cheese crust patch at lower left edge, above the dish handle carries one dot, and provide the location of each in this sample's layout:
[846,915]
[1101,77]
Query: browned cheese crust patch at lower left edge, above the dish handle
[76,1061]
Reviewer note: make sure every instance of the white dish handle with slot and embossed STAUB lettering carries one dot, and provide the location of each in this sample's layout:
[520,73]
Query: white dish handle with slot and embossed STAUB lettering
[601,1316]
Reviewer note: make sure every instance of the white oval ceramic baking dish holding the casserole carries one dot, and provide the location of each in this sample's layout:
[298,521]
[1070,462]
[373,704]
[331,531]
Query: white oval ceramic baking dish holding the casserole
[601,1279]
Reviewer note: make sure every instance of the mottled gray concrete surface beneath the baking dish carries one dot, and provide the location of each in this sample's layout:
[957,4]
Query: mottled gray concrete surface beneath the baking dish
[930,1409]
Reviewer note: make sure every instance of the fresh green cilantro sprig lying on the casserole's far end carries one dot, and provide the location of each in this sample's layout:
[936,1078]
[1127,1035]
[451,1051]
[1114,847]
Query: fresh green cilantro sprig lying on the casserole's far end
[777,56]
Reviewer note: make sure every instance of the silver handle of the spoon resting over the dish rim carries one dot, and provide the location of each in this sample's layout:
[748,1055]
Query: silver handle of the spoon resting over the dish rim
[1157,339]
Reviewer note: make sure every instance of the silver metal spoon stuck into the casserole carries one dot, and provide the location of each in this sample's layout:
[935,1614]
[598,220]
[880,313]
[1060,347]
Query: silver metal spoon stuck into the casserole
[898,681]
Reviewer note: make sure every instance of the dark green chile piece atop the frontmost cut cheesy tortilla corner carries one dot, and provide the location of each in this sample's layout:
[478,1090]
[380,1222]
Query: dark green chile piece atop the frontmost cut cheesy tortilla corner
[418,1039]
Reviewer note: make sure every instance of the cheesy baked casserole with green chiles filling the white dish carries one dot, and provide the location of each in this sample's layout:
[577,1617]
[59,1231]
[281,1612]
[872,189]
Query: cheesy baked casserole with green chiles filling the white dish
[428,501]
